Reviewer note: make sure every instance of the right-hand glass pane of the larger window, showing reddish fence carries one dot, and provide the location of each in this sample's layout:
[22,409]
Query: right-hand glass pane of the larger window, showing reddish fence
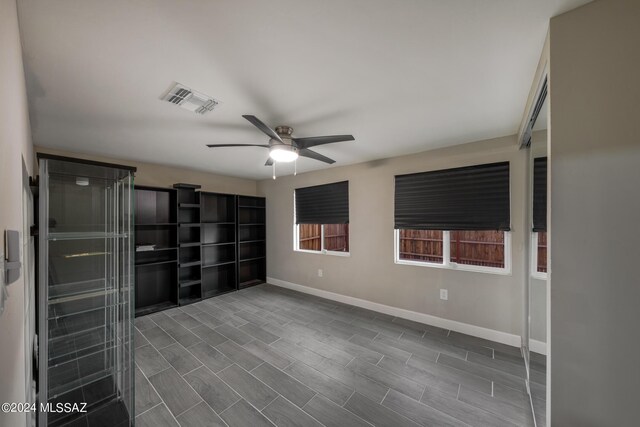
[483,248]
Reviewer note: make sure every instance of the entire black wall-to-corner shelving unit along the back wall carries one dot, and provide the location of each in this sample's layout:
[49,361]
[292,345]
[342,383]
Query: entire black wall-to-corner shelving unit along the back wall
[196,245]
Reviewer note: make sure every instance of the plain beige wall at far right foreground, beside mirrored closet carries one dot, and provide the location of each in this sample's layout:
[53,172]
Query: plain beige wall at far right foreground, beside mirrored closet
[595,208]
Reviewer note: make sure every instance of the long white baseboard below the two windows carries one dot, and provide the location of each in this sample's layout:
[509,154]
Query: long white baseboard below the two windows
[465,328]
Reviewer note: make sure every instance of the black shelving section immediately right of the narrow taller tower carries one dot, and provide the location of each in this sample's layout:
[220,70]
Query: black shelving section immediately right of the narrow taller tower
[218,219]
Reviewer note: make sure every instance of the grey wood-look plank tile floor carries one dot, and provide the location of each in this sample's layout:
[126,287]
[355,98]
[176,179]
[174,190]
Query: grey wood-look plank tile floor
[270,356]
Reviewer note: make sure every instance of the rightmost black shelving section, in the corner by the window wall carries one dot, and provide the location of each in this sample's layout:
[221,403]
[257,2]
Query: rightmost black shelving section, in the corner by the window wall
[251,243]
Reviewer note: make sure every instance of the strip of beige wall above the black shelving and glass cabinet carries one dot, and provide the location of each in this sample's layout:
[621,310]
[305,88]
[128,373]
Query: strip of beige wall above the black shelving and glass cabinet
[165,176]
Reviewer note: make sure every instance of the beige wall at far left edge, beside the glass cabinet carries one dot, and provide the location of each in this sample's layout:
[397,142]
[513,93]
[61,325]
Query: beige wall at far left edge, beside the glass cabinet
[15,149]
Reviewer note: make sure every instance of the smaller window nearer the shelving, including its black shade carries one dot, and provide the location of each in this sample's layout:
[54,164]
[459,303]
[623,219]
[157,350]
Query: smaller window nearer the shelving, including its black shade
[322,219]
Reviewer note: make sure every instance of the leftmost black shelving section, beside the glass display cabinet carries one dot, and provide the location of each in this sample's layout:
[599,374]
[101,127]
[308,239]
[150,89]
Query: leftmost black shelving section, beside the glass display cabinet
[156,268]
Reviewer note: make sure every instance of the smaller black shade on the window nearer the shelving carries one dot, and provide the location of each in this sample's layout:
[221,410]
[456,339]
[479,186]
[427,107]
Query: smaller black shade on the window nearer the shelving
[323,204]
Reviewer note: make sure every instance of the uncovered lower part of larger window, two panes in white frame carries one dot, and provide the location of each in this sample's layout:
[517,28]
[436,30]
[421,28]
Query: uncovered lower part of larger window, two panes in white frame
[466,250]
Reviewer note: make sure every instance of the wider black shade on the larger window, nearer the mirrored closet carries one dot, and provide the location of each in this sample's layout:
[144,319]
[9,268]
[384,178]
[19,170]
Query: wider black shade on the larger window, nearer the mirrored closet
[469,198]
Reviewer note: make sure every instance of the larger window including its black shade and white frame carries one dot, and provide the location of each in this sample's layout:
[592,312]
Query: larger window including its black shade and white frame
[455,218]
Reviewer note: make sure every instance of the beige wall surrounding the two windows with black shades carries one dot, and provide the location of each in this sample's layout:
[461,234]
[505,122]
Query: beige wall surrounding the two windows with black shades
[481,299]
